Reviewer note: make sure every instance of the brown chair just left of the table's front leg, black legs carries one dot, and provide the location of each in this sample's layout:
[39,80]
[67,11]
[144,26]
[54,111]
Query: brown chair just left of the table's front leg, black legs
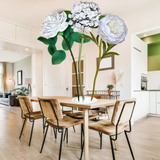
[52,110]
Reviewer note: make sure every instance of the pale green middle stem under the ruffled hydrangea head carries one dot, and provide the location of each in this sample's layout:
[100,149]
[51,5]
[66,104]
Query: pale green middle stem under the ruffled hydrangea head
[79,69]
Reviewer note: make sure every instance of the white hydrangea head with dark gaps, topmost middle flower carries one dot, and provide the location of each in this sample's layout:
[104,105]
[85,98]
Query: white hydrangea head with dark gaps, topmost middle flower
[84,15]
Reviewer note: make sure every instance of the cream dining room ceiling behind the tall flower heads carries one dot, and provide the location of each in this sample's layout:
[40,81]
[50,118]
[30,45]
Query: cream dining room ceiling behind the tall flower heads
[31,13]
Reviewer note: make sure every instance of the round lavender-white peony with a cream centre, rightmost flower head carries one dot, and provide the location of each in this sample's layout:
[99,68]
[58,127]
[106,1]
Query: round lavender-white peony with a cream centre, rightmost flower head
[112,29]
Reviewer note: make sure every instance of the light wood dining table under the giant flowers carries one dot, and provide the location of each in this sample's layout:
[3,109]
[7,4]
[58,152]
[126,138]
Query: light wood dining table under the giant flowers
[67,102]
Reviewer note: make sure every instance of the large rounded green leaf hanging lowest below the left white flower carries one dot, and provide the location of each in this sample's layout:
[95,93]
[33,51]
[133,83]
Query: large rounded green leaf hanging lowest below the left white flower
[58,57]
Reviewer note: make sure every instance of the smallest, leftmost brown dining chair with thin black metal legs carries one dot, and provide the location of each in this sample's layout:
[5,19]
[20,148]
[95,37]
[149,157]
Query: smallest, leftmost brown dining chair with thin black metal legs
[27,112]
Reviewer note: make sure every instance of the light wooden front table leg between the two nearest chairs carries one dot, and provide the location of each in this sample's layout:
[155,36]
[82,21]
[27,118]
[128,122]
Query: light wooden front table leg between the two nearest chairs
[86,139]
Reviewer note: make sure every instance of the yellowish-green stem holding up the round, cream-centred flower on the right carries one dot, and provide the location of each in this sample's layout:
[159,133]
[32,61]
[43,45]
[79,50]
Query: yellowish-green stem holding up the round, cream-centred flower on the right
[94,83]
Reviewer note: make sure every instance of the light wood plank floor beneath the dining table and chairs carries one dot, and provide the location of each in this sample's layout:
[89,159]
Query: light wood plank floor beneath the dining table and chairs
[144,138]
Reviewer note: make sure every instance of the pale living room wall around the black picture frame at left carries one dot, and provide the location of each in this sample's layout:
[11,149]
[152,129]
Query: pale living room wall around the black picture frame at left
[25,66]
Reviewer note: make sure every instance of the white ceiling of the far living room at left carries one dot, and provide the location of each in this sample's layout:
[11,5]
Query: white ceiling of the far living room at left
[11,57]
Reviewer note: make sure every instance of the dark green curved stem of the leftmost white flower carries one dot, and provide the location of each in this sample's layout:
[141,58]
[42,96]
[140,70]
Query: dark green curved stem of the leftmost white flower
[74,65]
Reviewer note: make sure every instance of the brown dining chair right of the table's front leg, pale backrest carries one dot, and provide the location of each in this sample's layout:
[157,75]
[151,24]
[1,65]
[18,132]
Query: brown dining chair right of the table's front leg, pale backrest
[122,114]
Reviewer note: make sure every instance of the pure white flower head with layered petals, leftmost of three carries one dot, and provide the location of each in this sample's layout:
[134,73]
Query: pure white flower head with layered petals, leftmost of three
[53,24]
